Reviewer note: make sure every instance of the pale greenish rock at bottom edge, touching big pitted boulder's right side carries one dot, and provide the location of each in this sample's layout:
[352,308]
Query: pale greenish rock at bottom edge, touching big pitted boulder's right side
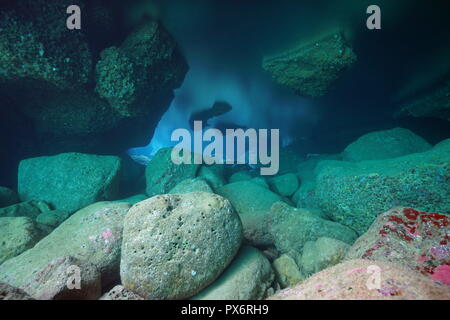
[248,277]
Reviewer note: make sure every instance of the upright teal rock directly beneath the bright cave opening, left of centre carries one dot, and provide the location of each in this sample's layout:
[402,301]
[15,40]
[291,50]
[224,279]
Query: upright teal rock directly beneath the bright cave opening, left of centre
[162,174]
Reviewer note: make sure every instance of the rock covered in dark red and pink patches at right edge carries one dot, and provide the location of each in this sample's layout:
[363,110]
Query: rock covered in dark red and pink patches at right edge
[417,240]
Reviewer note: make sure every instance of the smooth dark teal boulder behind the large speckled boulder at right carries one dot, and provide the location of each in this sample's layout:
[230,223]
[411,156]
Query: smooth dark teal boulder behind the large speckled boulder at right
[385,144]
